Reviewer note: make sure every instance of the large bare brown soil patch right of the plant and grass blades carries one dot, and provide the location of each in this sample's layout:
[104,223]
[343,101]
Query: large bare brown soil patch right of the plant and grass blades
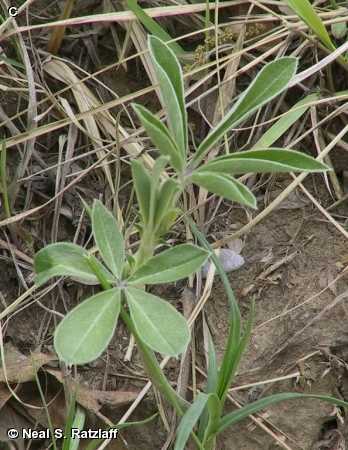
[310,255]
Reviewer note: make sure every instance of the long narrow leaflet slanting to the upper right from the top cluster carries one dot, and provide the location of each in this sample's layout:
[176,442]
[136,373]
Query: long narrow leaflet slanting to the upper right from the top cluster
[269,82]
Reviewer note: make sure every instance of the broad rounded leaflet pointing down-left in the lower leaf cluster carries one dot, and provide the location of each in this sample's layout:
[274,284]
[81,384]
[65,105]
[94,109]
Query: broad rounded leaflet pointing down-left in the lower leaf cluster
[86,331]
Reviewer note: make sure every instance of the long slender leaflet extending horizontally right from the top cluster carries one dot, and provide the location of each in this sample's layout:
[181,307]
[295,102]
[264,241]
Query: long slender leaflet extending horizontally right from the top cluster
[261,161]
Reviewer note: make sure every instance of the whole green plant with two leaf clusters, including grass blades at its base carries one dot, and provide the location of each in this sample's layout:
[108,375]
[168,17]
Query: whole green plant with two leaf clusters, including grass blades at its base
[157,327]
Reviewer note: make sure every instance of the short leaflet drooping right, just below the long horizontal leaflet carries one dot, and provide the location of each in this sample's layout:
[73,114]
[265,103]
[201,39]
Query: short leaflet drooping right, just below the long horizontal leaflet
[226,186]
